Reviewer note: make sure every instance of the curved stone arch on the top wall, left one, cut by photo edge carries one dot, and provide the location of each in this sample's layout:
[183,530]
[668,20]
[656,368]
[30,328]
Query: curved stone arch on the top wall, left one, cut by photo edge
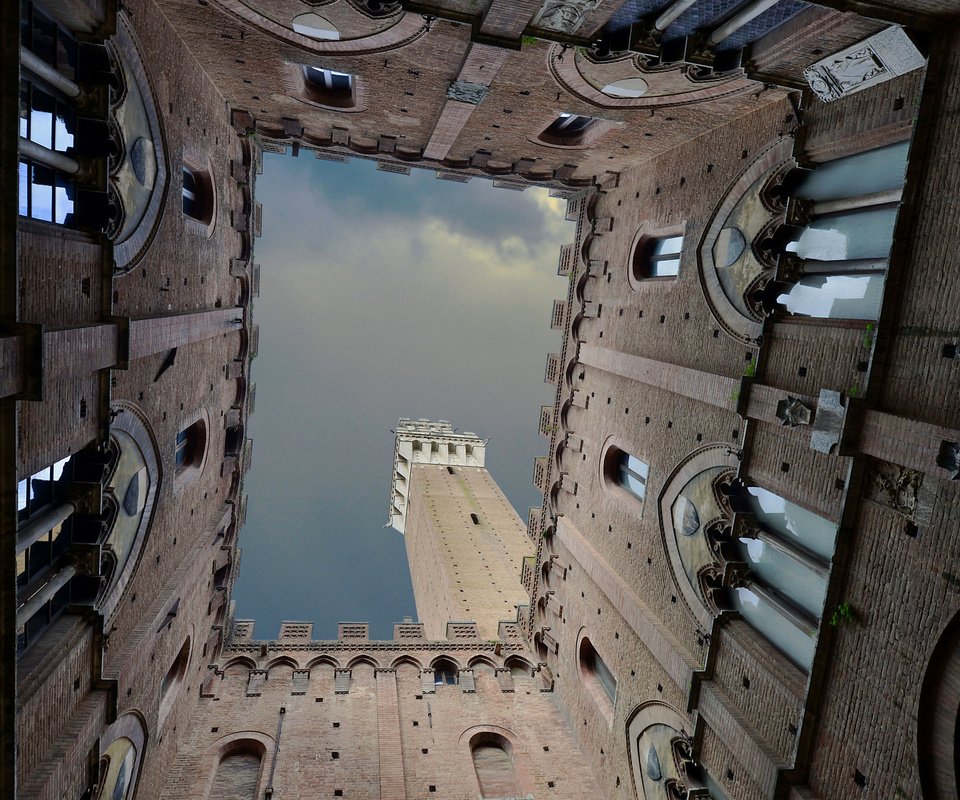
[407,29]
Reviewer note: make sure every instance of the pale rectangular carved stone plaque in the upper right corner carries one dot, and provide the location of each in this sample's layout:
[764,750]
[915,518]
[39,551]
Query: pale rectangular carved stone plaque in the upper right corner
[874,60]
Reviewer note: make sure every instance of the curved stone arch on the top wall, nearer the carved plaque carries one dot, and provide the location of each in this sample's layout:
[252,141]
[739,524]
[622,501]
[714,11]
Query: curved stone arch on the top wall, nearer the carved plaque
[689,82]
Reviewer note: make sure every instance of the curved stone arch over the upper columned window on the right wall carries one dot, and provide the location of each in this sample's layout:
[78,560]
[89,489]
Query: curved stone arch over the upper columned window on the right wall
[735,319]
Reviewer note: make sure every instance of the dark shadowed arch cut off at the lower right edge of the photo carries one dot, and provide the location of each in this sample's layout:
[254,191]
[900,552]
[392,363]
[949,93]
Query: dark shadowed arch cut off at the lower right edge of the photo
[938,724]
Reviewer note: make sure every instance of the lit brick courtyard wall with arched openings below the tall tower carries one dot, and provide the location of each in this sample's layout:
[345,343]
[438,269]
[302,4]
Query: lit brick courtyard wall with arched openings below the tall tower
[430,731]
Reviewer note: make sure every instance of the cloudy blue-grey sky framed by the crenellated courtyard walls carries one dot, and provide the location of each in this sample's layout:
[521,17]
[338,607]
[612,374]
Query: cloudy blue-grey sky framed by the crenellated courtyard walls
[383,296]
